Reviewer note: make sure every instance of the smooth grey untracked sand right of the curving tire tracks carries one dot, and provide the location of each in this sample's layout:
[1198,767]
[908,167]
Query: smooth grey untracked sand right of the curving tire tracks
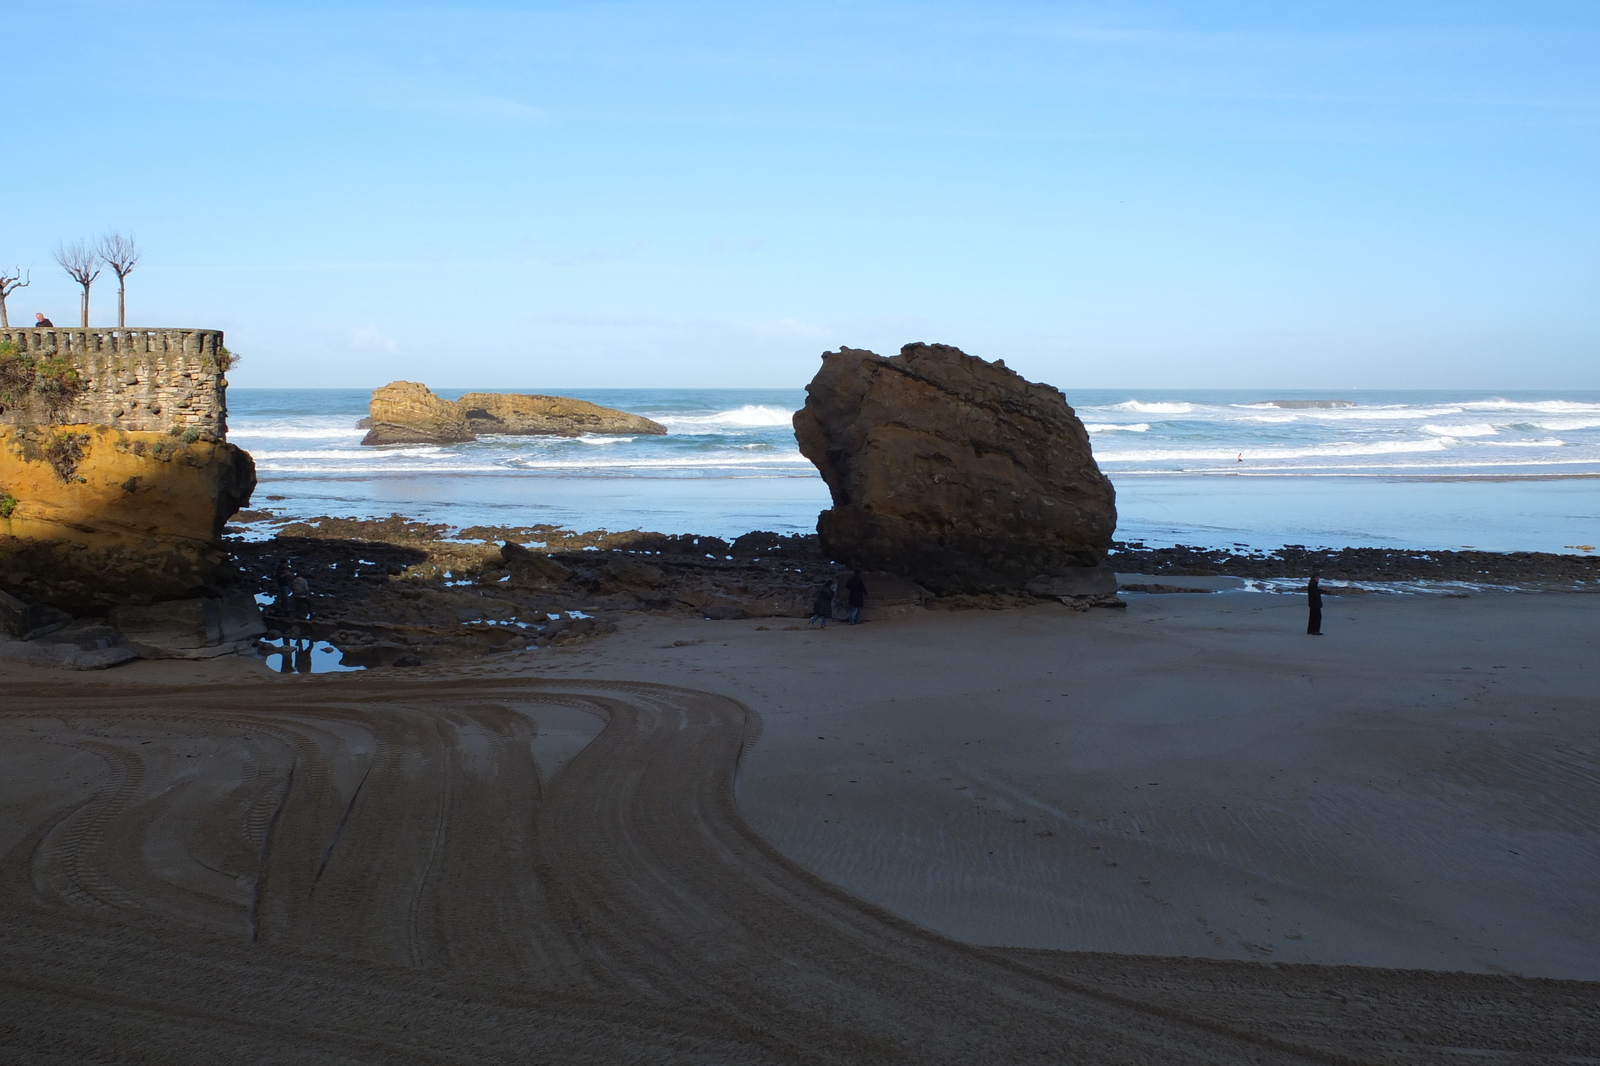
[1194,777]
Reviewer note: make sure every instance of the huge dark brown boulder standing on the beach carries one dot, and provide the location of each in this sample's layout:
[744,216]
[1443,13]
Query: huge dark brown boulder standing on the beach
[956,473]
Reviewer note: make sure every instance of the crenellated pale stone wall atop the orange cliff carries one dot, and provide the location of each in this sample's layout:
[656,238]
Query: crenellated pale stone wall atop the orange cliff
[132,380]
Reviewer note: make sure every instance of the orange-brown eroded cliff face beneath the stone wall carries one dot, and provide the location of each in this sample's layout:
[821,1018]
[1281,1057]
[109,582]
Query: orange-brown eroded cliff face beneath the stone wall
[100,516]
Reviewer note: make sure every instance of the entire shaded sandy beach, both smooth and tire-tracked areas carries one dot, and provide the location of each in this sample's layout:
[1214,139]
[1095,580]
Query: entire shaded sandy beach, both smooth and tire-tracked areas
[881,860]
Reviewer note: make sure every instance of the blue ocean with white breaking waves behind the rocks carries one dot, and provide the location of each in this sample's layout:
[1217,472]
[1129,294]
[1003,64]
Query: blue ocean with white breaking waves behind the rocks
[1505,471]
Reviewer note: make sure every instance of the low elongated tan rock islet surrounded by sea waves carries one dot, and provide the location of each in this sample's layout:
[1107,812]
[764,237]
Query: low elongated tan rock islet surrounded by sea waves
[406,412]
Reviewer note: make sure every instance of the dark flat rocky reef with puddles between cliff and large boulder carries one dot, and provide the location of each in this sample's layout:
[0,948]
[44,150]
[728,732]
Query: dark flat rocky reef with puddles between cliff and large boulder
[394,591]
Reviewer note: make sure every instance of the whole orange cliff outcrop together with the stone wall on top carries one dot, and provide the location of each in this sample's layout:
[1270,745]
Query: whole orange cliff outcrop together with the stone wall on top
[114,473]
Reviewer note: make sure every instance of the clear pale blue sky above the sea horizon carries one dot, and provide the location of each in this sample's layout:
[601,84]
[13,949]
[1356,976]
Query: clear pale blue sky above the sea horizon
[698,194]
